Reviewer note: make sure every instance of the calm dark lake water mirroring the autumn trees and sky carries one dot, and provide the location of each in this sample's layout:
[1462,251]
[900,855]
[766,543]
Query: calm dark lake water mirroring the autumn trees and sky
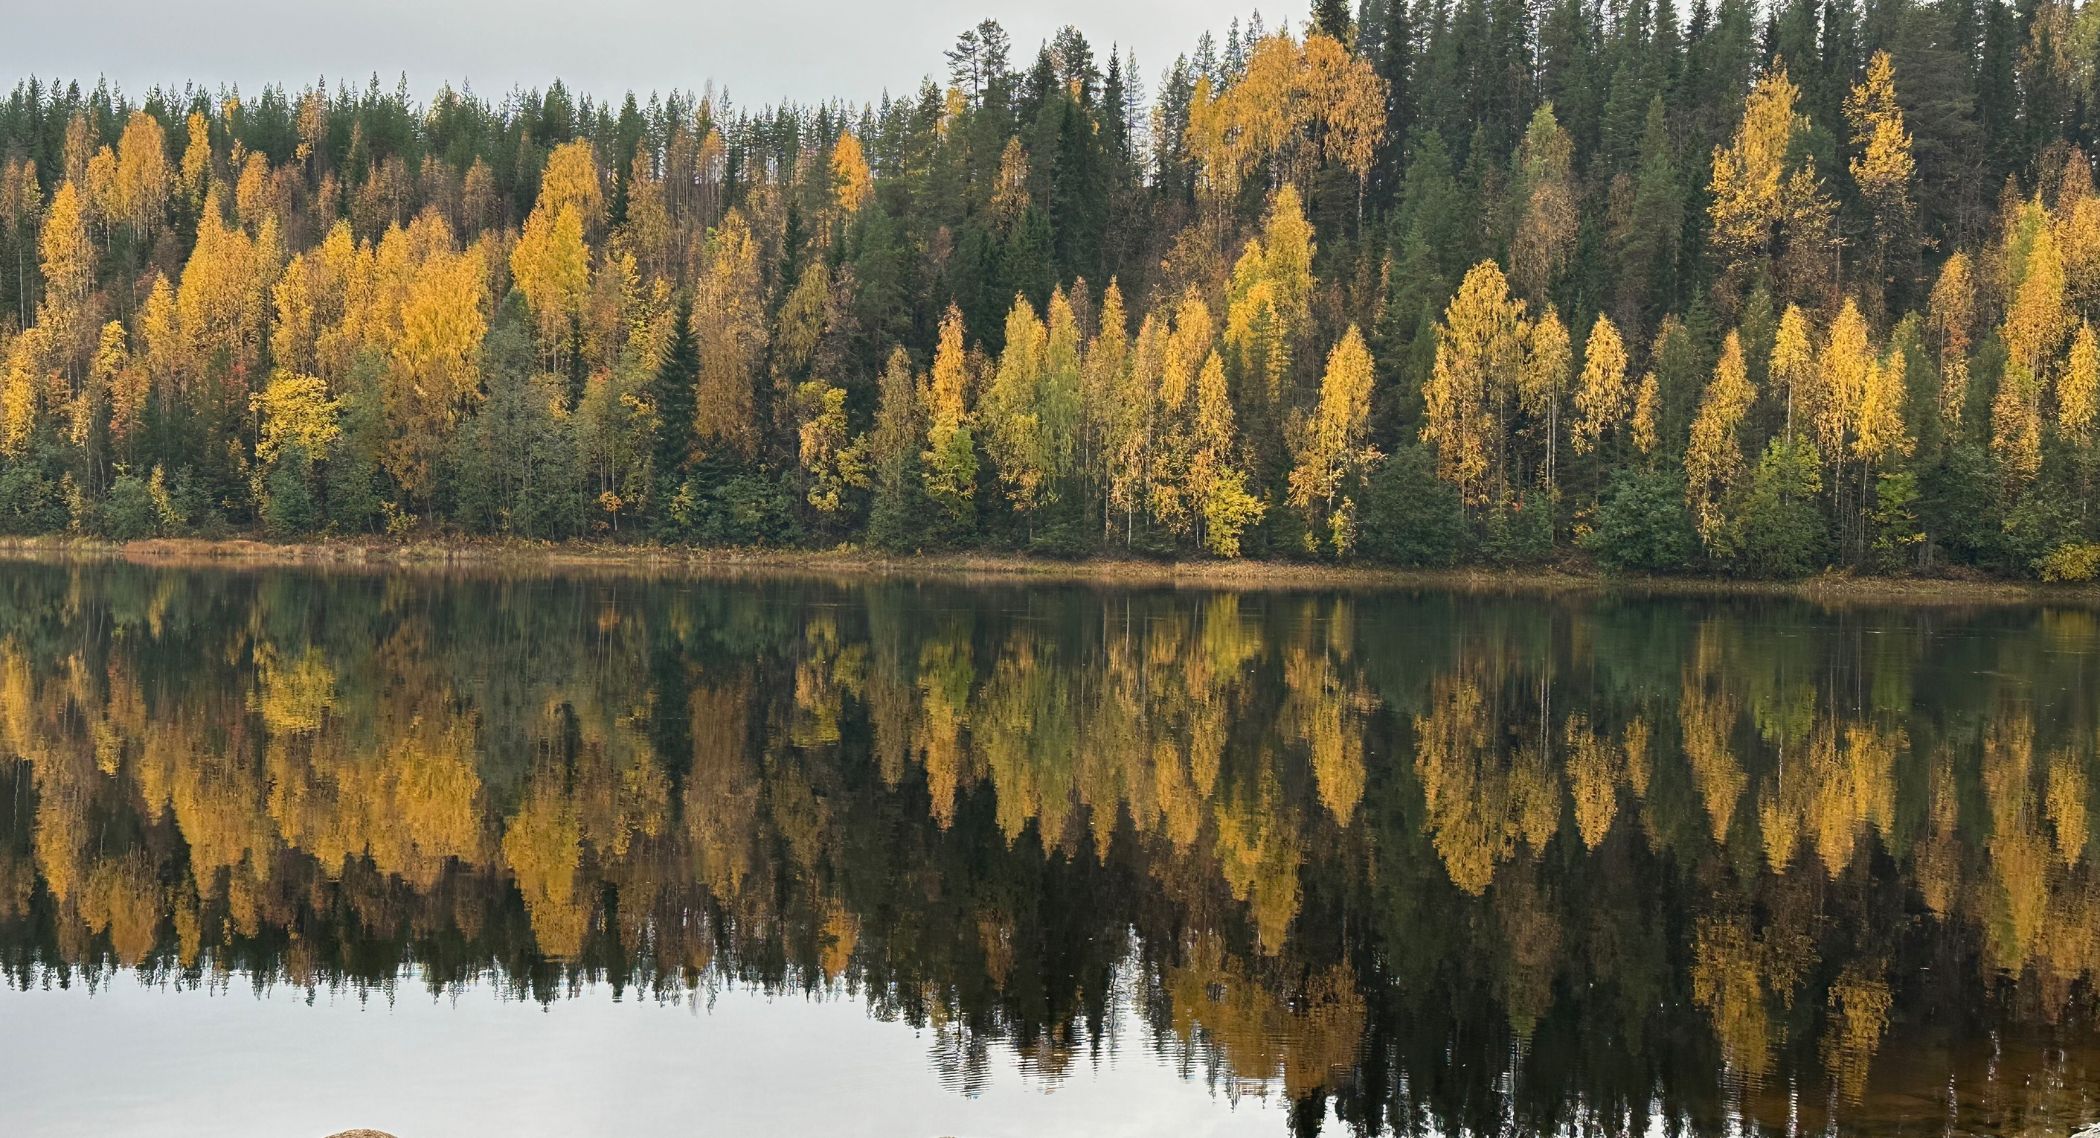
[285,853]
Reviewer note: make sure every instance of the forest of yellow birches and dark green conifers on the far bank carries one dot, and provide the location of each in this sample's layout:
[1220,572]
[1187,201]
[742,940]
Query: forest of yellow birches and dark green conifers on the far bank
[1750,291]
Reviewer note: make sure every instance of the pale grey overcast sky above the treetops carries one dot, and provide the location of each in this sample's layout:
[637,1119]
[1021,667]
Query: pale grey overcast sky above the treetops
[763,51]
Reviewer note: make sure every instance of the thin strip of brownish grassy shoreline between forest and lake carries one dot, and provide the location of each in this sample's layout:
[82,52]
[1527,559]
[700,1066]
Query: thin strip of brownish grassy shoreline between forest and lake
[482,555]
